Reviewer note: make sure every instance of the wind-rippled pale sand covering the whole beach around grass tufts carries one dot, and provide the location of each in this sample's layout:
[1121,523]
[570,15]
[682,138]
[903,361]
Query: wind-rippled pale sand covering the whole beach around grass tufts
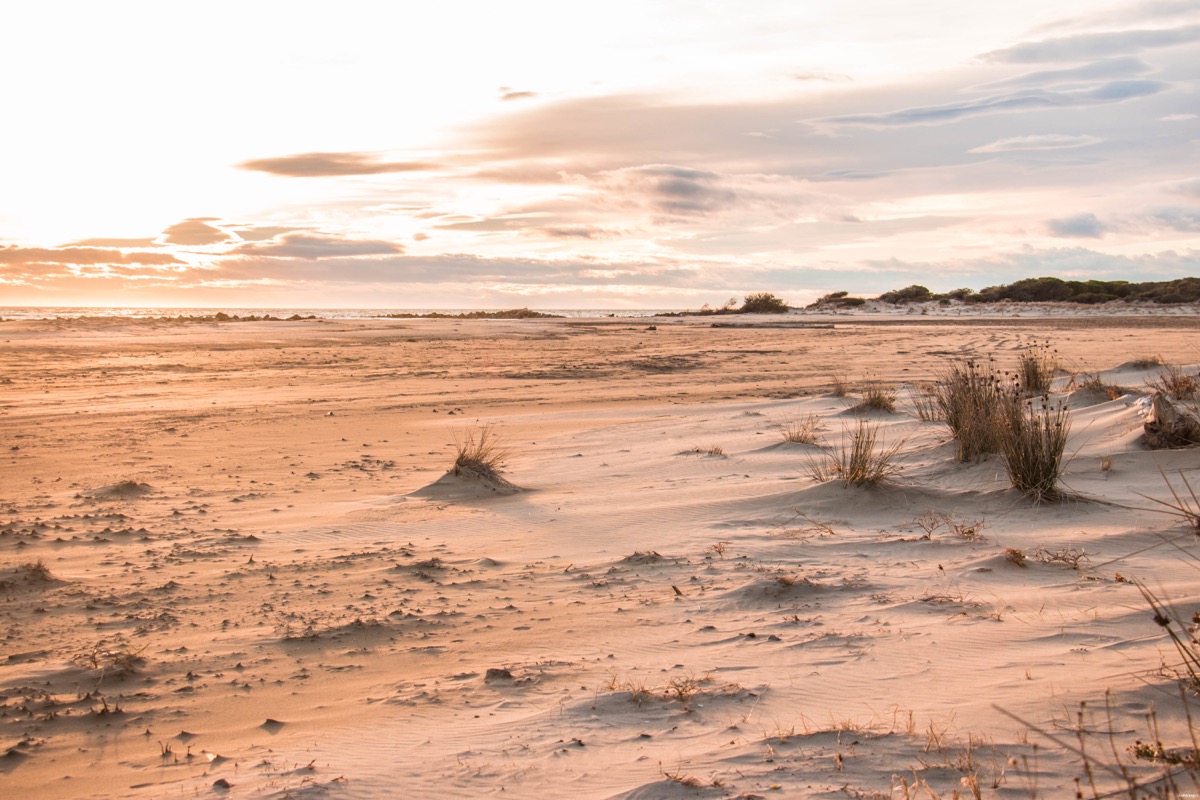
[259,513]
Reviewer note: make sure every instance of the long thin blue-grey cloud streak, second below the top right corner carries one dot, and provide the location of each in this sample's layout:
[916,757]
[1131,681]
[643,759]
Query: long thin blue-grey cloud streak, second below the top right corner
[1022,101]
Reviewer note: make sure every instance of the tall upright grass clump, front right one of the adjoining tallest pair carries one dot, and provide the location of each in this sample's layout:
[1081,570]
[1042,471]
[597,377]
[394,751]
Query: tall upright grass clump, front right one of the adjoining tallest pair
[1034,444]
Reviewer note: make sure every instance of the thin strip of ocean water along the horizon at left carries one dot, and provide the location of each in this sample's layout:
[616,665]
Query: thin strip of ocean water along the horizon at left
[74,312]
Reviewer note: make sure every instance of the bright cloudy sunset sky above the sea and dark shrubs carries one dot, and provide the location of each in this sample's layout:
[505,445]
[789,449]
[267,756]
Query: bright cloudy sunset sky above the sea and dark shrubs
[627,154]
